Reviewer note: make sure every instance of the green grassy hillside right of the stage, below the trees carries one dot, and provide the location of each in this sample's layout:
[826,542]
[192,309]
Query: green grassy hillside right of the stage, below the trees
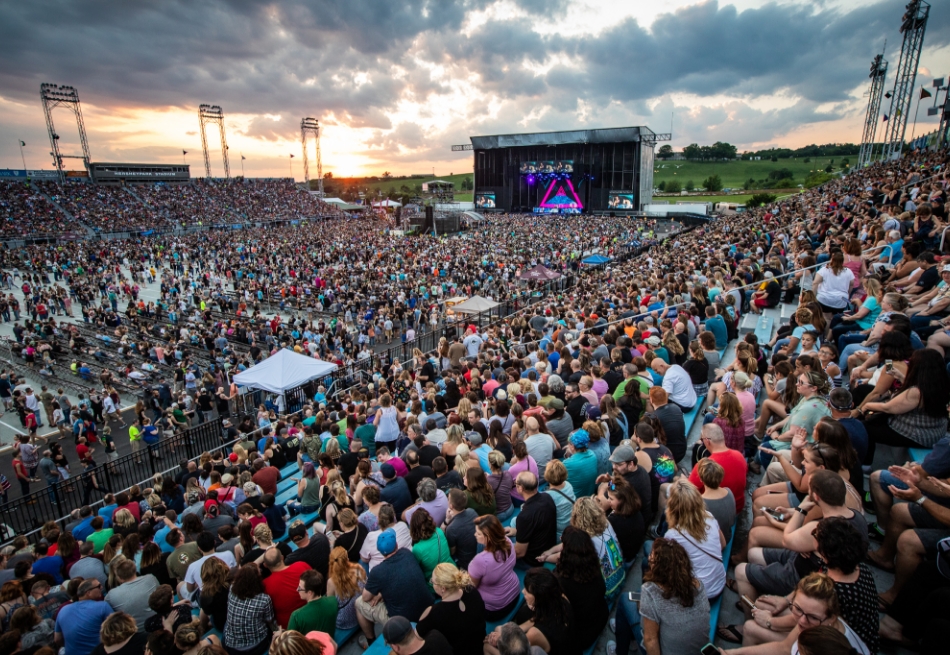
[735,173]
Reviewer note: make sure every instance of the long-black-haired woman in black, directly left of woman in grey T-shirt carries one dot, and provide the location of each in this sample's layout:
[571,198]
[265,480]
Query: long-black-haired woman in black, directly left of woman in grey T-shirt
[578,571]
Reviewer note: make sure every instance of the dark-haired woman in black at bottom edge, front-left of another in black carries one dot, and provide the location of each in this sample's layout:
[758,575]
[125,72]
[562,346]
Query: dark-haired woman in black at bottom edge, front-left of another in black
[547,614]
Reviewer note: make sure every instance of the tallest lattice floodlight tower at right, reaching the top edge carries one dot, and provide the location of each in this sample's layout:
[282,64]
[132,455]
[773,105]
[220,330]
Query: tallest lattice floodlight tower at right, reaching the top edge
[913,25]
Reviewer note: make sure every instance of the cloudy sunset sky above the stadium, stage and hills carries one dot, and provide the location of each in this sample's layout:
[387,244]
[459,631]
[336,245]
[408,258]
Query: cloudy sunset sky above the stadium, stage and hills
[395,83]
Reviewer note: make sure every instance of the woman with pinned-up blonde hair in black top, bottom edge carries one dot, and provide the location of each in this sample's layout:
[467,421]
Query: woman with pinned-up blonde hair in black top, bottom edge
[460,616]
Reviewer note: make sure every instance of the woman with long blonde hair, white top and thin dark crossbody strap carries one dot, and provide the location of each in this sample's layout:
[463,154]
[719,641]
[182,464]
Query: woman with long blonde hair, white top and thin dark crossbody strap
[695,529]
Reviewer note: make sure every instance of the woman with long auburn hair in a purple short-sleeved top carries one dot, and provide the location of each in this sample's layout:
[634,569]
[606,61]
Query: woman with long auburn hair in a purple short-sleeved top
[492,570]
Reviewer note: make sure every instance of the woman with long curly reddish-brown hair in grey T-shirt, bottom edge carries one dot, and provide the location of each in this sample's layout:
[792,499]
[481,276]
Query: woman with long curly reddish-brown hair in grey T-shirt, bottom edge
[672,615]
